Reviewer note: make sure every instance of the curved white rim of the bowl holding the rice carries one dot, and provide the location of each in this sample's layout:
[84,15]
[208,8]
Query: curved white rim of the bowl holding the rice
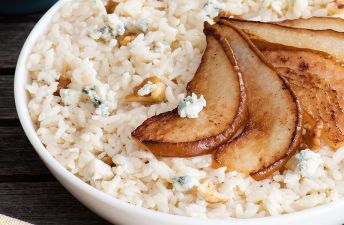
[21,100]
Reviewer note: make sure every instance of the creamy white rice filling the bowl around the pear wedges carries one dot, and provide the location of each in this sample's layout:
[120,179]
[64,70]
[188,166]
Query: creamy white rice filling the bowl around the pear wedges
[87,128]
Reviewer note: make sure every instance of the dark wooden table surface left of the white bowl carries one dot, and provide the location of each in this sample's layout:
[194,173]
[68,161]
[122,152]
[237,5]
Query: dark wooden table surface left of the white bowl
[28,191]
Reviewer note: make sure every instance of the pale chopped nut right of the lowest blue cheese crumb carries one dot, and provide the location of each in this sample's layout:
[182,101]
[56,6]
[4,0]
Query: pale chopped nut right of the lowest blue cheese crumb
[207,192]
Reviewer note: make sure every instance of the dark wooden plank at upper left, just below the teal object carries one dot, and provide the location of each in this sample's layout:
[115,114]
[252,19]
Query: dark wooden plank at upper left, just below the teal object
[13,32]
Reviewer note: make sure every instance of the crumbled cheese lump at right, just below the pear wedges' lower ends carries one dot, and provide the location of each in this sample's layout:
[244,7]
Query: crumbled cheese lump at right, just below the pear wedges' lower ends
[310,164]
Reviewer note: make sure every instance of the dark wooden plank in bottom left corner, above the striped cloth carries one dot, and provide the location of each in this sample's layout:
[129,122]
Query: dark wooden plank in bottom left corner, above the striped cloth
[44,203]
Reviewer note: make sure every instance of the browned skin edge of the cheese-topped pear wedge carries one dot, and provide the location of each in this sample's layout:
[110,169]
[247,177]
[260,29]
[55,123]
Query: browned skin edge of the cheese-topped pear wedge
[202,146]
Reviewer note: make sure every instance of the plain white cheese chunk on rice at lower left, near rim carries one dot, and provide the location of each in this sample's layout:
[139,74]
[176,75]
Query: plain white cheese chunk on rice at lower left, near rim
[96,170]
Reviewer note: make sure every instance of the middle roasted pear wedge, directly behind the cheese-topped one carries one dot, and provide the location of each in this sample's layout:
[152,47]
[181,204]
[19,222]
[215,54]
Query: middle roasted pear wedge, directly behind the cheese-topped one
[273,130]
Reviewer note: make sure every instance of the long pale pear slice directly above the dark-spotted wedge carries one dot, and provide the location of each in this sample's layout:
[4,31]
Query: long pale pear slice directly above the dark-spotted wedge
[328,41]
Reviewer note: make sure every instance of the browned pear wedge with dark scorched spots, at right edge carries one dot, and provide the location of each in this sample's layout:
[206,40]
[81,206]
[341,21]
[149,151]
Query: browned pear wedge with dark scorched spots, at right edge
[317,79]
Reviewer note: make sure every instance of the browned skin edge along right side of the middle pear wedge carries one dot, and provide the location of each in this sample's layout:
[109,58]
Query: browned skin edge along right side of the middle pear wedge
[297,135]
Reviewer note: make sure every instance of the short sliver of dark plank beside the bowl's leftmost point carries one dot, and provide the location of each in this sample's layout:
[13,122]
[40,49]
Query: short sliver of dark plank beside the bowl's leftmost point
[7,106]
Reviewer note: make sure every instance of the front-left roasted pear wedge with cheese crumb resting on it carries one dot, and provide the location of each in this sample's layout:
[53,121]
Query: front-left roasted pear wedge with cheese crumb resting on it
[221,84]
